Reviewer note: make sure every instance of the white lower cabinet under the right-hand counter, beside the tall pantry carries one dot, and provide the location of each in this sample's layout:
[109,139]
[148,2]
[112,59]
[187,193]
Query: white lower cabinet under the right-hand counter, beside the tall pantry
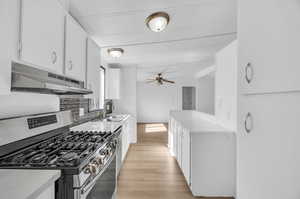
[207,159]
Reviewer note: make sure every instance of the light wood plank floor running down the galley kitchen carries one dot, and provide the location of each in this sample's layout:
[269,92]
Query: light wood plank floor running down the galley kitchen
[149,172]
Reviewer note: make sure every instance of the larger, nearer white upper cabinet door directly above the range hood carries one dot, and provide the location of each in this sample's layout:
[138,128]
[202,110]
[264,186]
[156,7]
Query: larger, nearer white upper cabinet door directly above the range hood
[42,34]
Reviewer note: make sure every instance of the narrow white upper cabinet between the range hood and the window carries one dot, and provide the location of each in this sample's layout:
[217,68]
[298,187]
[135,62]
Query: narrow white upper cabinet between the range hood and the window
[93,73]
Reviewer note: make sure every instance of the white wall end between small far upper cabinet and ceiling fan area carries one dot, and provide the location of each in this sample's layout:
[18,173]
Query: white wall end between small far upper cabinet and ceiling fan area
[127,104]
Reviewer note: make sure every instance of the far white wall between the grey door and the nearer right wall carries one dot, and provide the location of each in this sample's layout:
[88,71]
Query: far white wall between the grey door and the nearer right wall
[206,94]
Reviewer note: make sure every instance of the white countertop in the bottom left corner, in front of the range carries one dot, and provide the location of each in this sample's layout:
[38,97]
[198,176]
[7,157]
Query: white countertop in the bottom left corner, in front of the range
[25,184]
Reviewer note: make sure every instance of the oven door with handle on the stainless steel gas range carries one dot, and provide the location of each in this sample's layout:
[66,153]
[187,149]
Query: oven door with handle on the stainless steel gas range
[104,185]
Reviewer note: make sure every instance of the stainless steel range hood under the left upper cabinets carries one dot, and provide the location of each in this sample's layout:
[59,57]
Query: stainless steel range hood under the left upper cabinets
[29,79]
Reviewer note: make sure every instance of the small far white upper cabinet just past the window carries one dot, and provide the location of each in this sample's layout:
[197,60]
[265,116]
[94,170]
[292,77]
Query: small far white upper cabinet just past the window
[113,76]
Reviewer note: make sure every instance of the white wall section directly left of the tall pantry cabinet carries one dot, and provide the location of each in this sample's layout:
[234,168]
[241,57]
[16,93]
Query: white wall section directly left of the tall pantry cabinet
[226,86]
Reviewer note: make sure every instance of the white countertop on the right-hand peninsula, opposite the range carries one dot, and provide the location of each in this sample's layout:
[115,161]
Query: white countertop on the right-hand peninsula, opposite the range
[198,122]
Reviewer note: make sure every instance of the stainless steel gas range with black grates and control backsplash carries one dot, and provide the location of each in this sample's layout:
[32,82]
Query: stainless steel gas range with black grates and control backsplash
[87,160]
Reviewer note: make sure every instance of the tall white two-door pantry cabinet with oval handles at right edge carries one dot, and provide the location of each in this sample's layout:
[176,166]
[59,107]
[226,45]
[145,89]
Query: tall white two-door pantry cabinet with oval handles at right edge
[268,140]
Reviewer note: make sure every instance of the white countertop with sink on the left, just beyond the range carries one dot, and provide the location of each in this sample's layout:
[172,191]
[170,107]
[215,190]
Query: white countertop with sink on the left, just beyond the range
[101,125]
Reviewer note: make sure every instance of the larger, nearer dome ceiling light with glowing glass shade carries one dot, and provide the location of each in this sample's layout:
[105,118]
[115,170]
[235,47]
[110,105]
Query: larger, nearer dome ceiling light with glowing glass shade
[158,21]
